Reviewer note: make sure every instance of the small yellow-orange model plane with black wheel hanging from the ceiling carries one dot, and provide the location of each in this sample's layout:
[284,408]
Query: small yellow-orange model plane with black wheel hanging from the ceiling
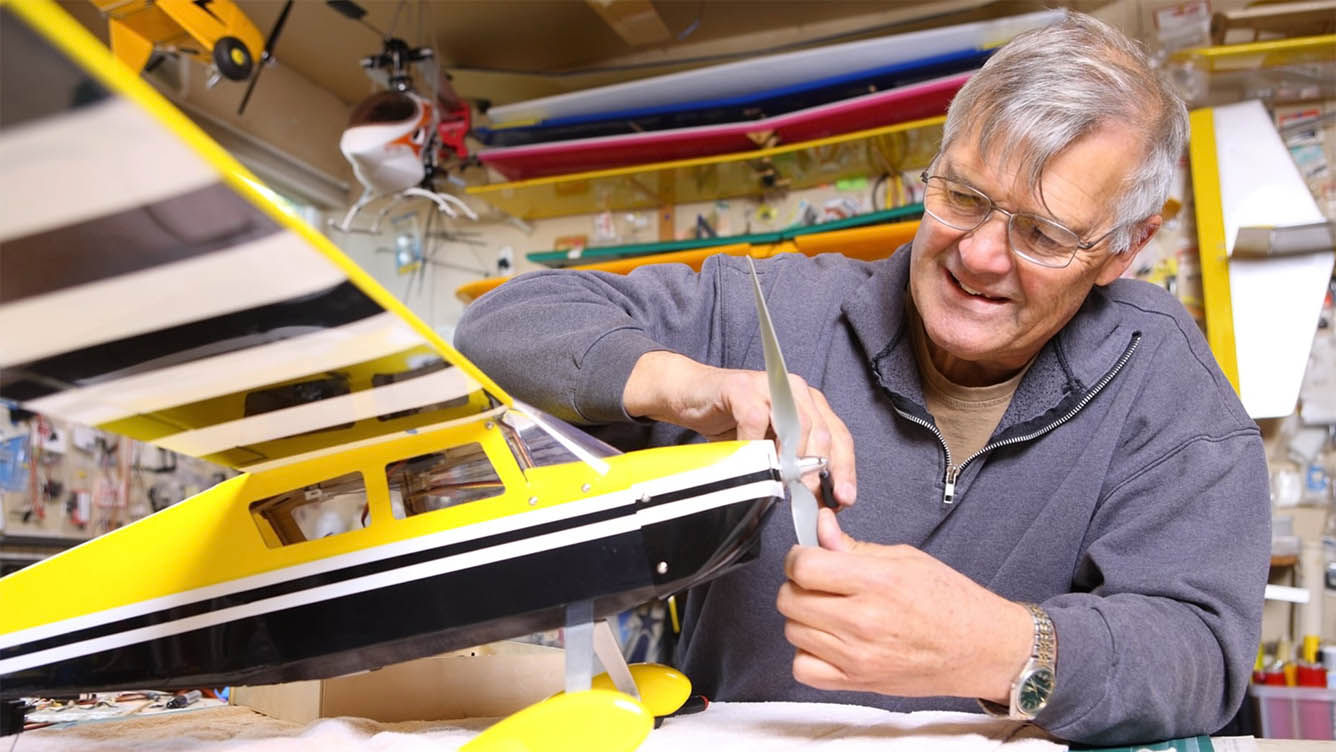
[216,33]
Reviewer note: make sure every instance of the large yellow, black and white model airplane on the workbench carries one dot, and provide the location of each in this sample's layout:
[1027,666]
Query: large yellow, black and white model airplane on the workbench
[395,502]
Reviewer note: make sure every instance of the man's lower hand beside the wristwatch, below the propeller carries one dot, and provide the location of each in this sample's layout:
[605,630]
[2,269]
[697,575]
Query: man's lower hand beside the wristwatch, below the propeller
[894,620]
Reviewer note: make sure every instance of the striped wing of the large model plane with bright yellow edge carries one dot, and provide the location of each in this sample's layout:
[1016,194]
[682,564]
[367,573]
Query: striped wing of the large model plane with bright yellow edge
[152,287]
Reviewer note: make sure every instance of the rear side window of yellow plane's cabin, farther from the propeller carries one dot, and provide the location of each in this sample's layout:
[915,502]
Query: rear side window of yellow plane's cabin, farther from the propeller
[319,511]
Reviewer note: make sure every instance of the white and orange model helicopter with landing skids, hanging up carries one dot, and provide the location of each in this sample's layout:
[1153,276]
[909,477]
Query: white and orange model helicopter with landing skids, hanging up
[399,140]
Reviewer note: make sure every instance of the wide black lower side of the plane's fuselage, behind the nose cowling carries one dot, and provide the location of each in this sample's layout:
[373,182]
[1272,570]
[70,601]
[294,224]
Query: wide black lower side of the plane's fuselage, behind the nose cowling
[422,618]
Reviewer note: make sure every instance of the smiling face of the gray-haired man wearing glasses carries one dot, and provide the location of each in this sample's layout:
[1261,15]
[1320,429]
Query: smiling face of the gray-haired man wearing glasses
[985,311]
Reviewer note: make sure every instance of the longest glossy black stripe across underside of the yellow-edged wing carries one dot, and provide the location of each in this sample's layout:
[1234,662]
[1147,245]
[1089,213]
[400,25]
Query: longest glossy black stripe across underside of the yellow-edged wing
[328,309]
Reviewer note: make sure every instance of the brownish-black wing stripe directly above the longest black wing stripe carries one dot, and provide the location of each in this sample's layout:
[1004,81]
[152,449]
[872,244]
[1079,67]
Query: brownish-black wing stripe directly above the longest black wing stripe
[176,229]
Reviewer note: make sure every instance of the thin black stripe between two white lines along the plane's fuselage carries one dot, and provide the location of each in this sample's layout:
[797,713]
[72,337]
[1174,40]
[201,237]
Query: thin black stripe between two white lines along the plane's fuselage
[352,572]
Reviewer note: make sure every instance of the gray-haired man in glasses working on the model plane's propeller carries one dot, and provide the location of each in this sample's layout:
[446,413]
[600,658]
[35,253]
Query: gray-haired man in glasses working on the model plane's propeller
[1061,507]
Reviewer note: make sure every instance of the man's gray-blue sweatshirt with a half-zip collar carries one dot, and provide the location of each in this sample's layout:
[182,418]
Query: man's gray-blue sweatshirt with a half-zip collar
[1124,490]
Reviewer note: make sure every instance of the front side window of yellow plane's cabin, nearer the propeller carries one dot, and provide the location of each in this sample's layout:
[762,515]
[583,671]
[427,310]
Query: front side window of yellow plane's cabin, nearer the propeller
[446,479]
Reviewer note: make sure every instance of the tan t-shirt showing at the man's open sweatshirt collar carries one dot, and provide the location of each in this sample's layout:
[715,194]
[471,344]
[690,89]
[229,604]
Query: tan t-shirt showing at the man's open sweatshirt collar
[965,415]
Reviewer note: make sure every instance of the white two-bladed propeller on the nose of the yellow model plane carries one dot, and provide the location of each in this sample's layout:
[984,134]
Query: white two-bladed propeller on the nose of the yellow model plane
[784,416]
